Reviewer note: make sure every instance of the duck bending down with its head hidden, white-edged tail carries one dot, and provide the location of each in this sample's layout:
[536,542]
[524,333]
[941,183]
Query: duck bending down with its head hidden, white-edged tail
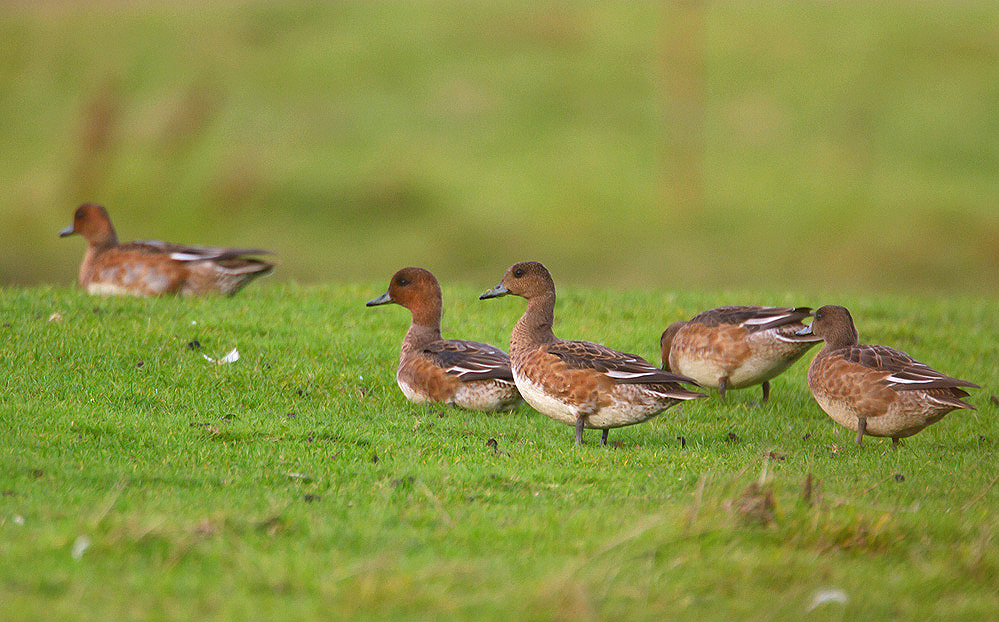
[737,346]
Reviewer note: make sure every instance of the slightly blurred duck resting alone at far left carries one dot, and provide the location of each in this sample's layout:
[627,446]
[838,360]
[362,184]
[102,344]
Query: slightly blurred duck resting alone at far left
[151,267]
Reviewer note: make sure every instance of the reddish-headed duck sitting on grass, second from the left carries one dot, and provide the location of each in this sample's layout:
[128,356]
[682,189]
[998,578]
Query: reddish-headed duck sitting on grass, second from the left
[466,374]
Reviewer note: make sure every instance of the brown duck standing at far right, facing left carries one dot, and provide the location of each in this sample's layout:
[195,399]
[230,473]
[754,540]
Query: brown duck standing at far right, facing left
[876,390]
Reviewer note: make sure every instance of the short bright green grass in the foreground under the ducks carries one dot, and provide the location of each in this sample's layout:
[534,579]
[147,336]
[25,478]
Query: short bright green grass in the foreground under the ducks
[297,483]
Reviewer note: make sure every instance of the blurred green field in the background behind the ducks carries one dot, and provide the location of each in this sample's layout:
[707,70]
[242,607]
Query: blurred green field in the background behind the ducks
[701,145]
